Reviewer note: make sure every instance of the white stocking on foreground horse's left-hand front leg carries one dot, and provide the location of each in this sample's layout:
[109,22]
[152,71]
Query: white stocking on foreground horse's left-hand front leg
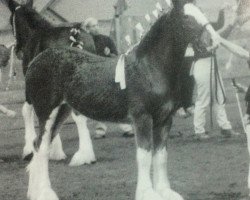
[144,190]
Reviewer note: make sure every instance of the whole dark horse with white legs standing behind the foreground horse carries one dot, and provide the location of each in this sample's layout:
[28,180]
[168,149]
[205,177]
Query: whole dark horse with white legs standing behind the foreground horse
[33,35]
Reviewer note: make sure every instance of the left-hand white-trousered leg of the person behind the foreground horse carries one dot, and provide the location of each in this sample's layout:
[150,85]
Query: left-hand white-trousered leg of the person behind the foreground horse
[202,79]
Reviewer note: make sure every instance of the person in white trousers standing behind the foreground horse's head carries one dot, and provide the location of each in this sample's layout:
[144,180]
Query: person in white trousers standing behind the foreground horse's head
[210,89]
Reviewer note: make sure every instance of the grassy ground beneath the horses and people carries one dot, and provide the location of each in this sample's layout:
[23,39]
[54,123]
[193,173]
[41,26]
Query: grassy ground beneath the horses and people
[215,169]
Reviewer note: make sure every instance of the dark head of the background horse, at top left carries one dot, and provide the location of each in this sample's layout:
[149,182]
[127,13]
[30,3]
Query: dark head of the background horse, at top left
[20,26]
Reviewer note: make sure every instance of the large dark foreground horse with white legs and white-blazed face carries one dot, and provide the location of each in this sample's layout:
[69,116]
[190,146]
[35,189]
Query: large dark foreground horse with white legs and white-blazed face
[58,78]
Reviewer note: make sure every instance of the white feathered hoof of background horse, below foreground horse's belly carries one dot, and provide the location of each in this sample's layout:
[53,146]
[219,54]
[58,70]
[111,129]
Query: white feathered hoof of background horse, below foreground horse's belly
[81,158]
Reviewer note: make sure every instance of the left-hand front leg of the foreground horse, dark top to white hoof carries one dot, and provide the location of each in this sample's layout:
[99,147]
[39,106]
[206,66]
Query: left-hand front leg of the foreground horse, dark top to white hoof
[144,140]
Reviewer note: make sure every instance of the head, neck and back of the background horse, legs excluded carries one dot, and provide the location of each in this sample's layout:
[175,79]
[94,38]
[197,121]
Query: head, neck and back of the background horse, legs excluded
[34,34]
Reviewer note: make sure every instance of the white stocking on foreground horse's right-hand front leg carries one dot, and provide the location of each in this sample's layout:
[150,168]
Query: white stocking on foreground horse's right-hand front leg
[161,182]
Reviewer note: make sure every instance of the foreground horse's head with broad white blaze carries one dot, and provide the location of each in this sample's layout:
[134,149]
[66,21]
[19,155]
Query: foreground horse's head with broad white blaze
[193,21]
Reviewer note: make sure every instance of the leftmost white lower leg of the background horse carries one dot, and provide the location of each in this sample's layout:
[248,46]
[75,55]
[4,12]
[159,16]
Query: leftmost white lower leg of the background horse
[30,133]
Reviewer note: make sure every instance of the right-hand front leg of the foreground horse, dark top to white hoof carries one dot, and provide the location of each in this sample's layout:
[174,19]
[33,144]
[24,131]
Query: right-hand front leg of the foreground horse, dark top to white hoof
[160,176]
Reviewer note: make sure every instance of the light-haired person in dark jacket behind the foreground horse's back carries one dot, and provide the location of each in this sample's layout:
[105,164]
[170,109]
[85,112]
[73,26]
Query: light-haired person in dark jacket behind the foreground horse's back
[105,47]
